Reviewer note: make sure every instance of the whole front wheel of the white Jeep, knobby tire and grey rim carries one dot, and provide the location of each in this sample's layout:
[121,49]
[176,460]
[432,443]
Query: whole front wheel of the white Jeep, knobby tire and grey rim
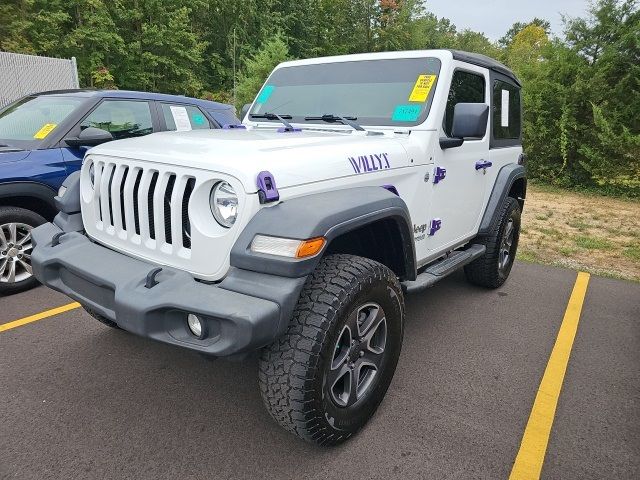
[325,377]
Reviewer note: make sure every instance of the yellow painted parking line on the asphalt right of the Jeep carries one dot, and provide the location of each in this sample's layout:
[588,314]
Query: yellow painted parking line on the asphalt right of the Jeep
[528,463]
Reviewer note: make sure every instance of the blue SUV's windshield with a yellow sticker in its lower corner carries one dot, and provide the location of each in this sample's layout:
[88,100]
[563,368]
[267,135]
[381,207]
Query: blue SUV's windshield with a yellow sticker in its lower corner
[28,122]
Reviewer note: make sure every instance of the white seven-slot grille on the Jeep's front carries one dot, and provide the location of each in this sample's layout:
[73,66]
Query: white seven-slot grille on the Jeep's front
[147,206]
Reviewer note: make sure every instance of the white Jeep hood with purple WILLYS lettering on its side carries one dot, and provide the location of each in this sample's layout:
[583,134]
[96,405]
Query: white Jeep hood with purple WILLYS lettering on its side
[294,158]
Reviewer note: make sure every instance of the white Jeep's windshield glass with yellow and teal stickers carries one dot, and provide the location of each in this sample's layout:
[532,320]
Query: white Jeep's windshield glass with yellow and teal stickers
[396,92]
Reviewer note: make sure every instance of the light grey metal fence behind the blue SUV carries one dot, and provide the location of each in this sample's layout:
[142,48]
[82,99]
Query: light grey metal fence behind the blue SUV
[24,74]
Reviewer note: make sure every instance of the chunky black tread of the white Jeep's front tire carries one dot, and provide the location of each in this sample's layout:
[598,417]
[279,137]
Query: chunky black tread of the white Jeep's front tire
[287,368]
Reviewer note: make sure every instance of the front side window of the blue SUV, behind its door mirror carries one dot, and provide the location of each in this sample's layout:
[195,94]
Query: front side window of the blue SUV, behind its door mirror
[123,118]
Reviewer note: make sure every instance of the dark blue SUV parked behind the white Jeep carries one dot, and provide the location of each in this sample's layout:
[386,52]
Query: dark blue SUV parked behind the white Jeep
[43,138]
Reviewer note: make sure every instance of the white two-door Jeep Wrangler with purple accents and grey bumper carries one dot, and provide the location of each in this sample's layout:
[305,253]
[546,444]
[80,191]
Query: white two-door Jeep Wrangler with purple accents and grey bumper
[352,181]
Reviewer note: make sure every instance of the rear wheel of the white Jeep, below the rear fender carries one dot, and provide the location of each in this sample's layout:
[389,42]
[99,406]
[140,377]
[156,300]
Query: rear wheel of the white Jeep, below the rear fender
[493,268]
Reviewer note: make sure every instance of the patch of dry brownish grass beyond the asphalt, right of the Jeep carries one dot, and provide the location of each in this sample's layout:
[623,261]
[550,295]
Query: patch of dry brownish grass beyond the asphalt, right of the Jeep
[582,231]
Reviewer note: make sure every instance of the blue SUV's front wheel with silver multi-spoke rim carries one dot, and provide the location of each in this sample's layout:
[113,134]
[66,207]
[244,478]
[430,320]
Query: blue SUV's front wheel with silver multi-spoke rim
[15,249]
